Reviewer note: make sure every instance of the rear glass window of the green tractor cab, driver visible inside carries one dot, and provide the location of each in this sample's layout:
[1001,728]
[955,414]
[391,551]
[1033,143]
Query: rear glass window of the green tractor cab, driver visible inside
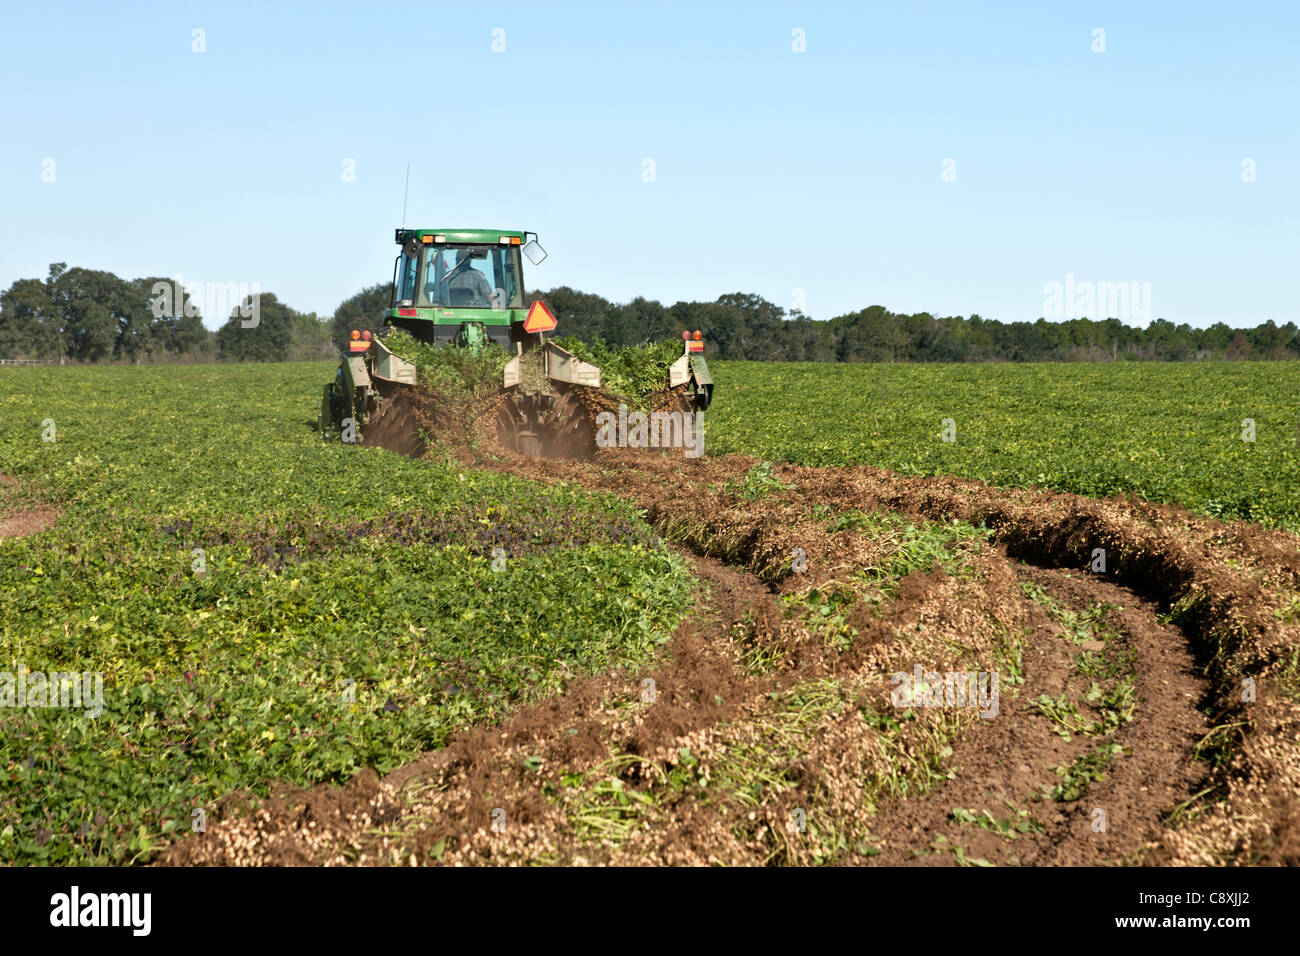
[469,276]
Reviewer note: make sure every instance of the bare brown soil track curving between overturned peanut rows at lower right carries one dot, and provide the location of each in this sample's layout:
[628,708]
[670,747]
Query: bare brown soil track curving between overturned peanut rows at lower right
[1008,762]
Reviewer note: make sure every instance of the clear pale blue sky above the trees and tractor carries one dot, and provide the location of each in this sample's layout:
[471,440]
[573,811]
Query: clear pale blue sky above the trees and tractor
[774,171]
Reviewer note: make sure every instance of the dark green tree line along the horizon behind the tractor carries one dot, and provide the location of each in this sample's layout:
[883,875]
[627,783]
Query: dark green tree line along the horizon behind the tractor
[85,315]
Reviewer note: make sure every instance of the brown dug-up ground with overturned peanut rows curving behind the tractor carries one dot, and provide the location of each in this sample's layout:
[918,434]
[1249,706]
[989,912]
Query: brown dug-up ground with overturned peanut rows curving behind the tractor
[1162,729]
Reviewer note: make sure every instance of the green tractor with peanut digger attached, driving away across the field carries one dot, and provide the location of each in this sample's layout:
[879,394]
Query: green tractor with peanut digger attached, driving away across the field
[465,289]
